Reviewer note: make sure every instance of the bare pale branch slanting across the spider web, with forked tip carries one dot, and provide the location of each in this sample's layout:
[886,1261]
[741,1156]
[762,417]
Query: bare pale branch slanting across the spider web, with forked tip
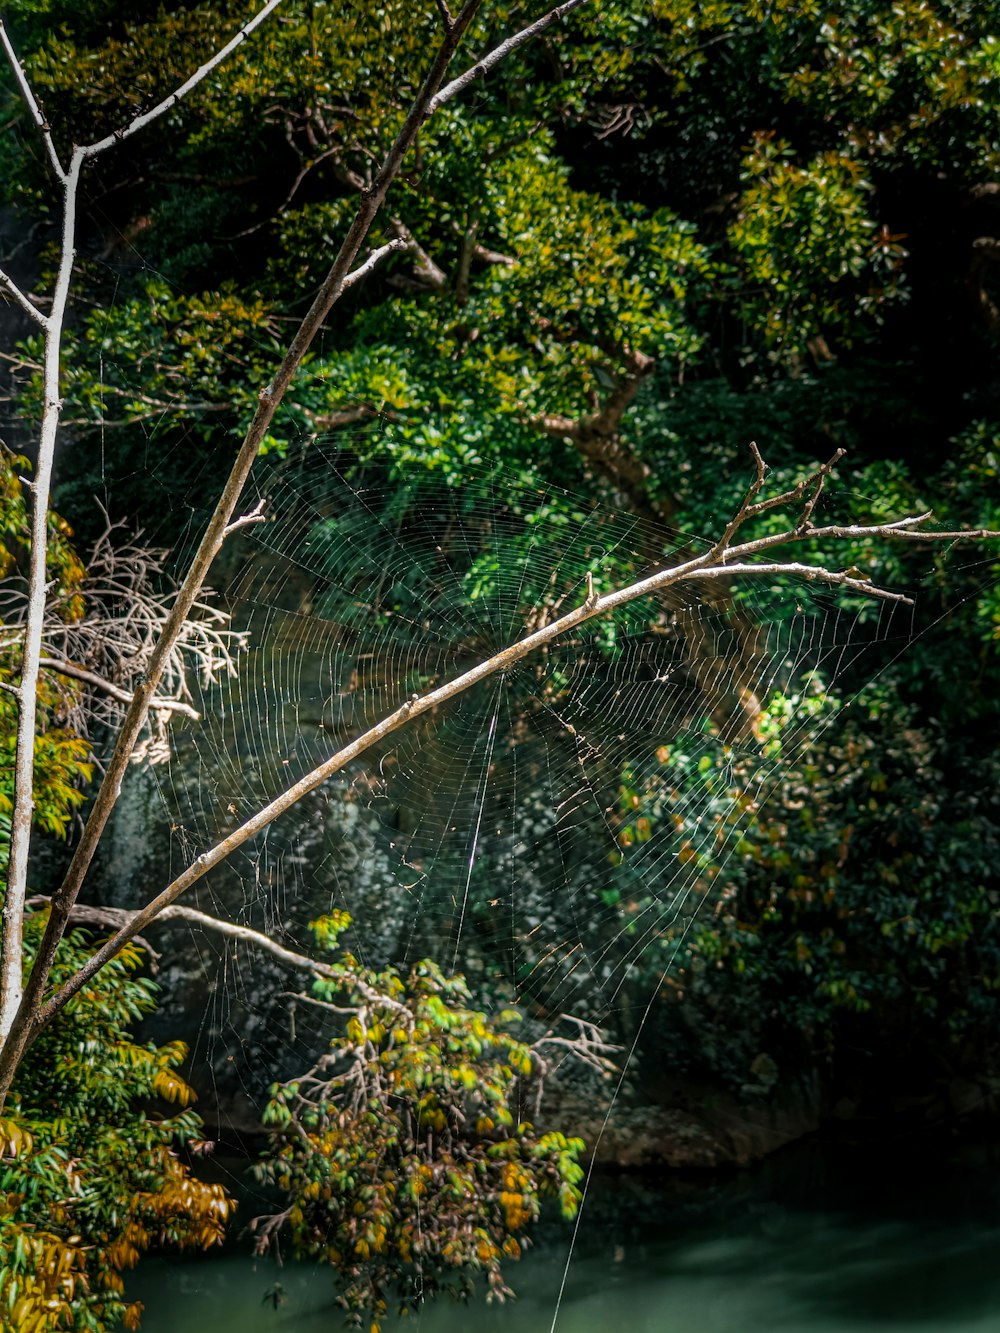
[723,561]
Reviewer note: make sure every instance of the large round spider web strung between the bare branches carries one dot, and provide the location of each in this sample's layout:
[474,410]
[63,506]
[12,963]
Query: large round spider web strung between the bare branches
[553,831]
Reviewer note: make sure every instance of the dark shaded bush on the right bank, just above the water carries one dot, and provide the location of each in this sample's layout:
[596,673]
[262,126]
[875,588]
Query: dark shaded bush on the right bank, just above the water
[855,924]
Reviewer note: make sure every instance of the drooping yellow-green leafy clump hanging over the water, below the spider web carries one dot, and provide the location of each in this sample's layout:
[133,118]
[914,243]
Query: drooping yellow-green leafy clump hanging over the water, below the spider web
[403,1154]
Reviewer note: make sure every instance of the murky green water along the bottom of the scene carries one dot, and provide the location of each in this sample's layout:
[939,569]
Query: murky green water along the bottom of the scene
[814,1243]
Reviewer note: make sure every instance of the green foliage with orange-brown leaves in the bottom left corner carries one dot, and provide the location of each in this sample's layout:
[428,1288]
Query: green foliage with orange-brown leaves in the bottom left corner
[90,1175]
